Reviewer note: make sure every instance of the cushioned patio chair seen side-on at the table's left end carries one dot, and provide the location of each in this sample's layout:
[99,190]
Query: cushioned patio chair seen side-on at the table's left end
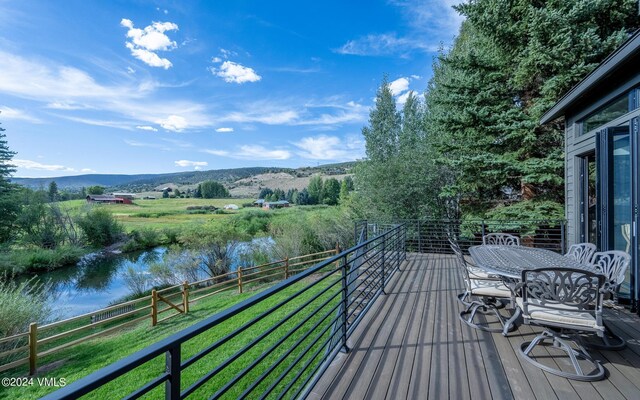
[482,296]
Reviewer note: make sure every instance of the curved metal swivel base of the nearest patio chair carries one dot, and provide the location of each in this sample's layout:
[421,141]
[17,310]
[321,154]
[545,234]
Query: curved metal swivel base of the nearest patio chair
[597,373]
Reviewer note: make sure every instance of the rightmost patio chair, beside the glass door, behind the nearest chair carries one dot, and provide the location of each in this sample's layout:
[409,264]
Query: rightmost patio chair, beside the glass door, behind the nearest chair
[613,265]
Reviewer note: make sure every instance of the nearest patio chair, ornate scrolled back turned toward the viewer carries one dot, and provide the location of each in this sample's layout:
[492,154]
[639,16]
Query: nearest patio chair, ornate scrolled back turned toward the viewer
[565,301]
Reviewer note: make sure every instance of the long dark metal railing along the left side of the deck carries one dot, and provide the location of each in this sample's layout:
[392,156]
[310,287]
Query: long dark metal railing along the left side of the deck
[275,344]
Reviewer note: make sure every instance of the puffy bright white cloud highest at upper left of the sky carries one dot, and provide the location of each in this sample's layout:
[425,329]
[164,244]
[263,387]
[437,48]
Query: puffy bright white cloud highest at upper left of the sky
[146,42]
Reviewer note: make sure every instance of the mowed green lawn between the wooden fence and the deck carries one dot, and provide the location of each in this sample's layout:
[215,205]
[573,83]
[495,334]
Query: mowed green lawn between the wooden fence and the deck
[79,361]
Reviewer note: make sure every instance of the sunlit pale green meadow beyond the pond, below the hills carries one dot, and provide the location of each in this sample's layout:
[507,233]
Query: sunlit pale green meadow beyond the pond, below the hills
[162,213]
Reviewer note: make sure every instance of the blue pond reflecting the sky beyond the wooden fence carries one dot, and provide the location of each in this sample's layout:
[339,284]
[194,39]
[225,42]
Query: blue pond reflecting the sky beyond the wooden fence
[98,280]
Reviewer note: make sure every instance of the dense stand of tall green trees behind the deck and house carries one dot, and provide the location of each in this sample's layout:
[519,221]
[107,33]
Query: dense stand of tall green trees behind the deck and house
[474,147]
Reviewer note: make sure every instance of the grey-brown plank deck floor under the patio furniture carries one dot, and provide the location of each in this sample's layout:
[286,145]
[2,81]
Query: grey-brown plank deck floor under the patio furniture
[412,345]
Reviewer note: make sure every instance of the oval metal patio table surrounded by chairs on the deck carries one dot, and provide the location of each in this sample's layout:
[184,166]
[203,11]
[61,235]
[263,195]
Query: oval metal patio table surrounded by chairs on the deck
[508,262]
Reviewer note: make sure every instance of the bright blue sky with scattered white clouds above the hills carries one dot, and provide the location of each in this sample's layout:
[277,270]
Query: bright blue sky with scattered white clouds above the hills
[166,86]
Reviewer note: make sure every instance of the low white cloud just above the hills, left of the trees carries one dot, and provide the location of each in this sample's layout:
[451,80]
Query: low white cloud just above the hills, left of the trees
[324,147]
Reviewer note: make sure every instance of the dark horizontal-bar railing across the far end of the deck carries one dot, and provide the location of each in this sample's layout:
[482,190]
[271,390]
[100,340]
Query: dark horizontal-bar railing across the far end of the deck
[430,235]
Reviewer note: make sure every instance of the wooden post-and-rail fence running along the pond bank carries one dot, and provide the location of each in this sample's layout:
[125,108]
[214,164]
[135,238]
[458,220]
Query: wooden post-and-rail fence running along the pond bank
[40,341]
